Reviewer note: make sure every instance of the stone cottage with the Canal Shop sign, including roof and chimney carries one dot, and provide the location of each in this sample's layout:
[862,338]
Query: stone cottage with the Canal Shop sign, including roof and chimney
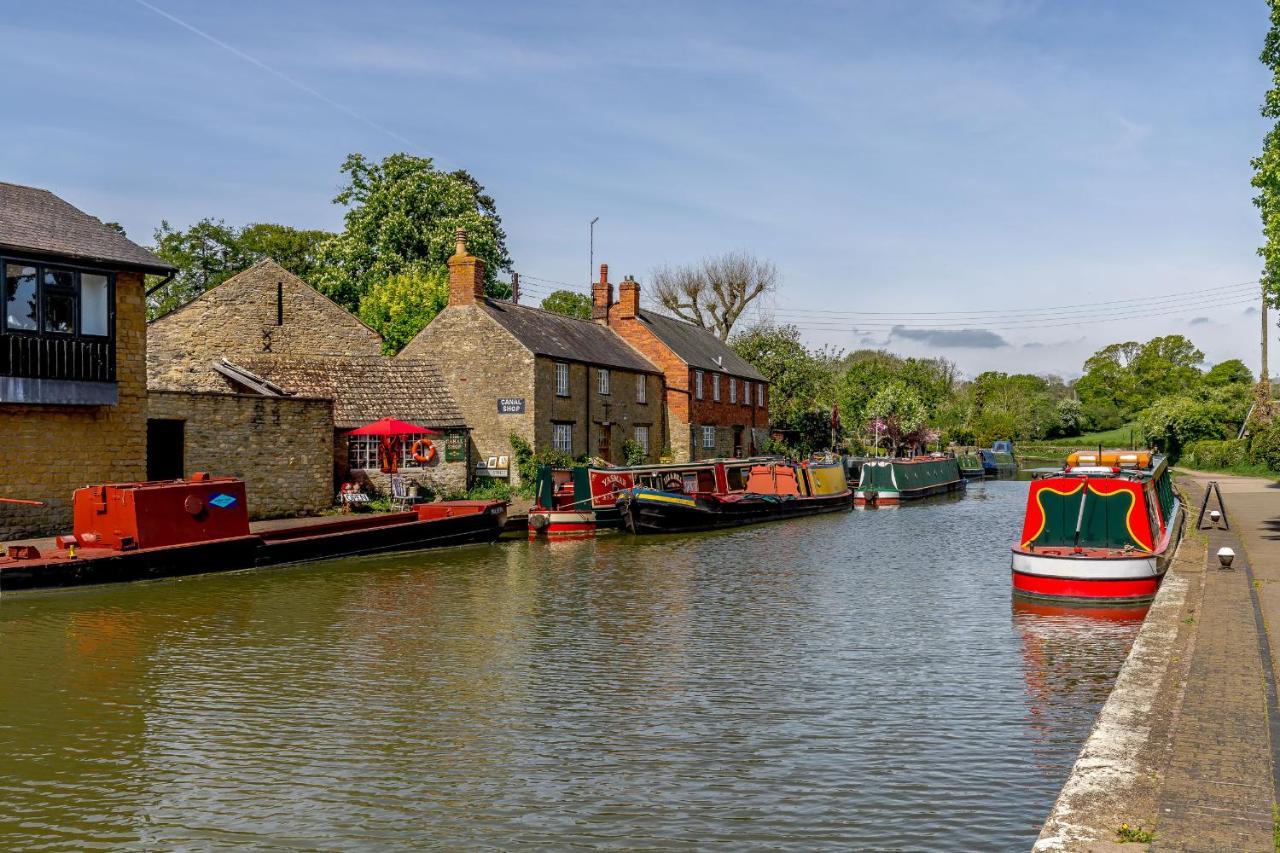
[552,380]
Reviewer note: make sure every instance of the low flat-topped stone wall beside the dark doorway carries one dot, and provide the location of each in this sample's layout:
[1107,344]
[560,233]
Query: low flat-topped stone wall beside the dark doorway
[282,448]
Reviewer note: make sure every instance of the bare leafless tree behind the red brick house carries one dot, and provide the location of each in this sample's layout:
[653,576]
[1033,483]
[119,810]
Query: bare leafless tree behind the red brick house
[715,293]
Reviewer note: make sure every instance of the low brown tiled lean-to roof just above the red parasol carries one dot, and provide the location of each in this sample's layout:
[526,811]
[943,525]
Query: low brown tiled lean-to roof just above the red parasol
[363,389]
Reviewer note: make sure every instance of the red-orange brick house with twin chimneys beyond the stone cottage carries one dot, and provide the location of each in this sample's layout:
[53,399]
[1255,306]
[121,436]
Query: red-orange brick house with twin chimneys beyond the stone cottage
[717,403]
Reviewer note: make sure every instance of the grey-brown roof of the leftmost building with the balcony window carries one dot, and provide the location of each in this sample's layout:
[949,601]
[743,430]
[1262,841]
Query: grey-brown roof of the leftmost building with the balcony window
[36,221]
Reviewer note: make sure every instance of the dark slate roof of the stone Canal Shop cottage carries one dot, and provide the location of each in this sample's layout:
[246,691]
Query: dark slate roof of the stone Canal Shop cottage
[556,336]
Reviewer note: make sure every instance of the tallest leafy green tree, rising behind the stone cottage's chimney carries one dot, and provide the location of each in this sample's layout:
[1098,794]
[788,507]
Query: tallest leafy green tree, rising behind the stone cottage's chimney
[401,216]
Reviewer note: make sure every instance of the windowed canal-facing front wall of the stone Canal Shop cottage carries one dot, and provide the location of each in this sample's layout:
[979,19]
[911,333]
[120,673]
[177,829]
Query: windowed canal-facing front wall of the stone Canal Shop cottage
[588,410]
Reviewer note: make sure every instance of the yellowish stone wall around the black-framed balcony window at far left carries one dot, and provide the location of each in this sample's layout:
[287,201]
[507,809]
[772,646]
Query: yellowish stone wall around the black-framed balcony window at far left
[51,451]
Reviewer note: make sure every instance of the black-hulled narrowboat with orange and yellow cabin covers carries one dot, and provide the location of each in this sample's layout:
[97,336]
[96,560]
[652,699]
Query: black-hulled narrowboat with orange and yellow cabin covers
[772,491]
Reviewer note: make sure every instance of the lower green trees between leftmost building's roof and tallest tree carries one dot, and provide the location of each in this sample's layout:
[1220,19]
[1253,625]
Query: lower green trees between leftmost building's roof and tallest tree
[211,252]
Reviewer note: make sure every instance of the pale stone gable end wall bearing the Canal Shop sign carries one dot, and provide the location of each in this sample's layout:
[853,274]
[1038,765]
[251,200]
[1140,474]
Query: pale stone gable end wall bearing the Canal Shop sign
[481,363]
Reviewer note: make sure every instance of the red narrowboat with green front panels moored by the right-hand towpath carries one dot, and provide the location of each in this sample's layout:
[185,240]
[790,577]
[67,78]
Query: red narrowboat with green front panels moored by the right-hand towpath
[1103,530]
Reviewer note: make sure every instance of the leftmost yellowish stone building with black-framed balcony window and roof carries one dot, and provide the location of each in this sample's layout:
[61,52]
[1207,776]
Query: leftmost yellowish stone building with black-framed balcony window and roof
[74,405]
